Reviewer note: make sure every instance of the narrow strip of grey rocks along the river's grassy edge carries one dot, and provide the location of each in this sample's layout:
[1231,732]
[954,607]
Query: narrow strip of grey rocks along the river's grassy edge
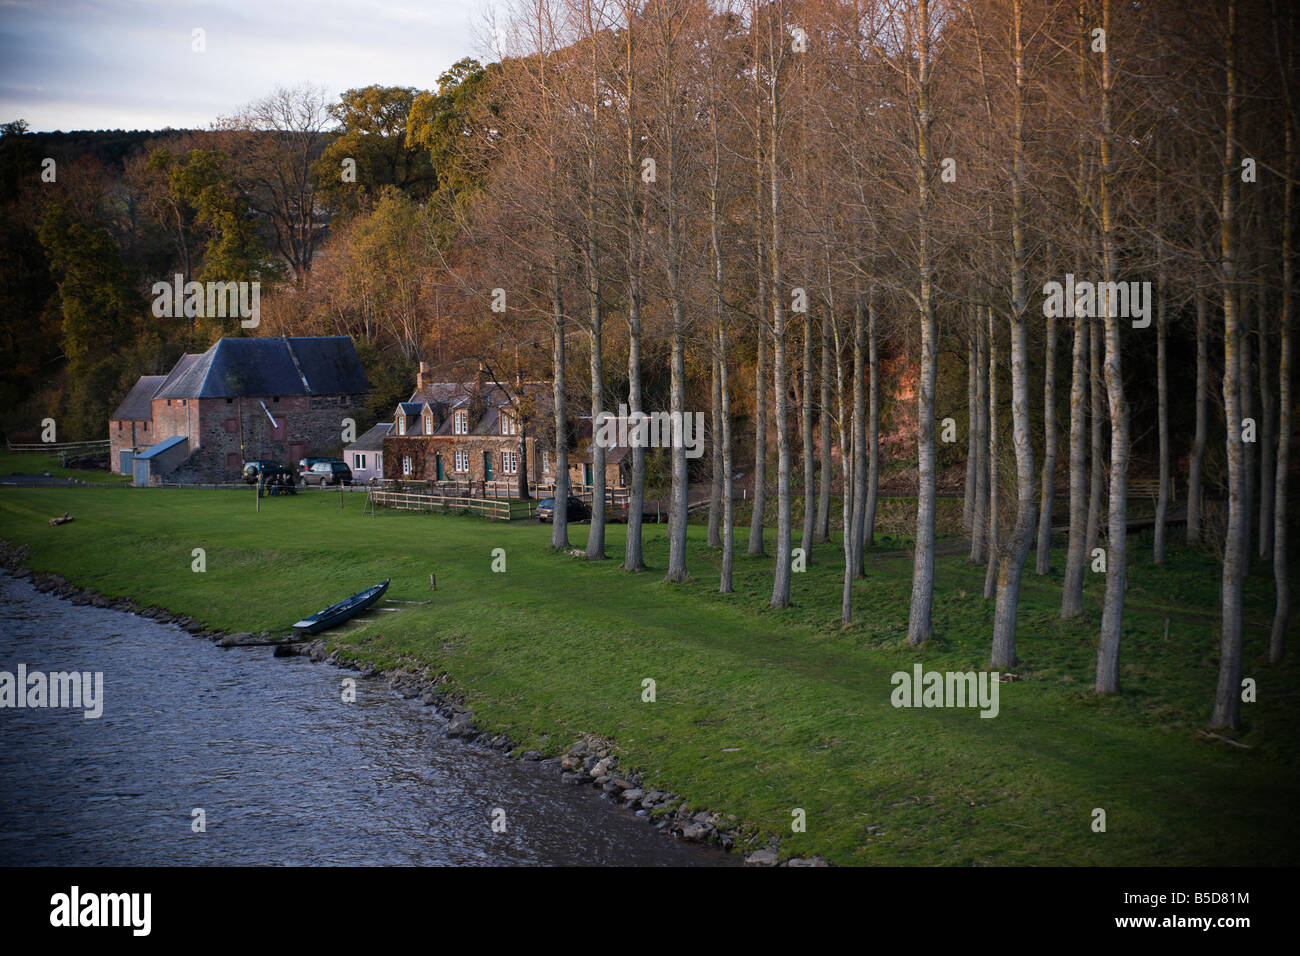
[588,763]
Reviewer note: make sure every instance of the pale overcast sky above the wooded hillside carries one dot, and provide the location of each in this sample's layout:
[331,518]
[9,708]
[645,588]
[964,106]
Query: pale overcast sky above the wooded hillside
[129,64]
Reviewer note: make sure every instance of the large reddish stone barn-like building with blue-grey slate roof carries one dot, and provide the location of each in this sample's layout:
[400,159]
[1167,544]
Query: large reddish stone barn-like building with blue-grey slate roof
[242,400]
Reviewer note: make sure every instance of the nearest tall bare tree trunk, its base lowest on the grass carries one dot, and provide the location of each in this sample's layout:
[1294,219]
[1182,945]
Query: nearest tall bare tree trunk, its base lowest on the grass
[1228,695]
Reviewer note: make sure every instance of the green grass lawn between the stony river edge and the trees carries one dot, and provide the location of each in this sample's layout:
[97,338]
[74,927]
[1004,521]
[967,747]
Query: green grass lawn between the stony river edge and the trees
[759,712]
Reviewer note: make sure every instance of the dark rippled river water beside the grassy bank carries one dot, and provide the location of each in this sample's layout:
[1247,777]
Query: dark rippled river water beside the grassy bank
[285,772]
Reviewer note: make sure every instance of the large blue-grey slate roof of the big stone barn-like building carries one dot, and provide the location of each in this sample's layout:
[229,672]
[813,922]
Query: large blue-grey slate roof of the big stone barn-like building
[259,367]
